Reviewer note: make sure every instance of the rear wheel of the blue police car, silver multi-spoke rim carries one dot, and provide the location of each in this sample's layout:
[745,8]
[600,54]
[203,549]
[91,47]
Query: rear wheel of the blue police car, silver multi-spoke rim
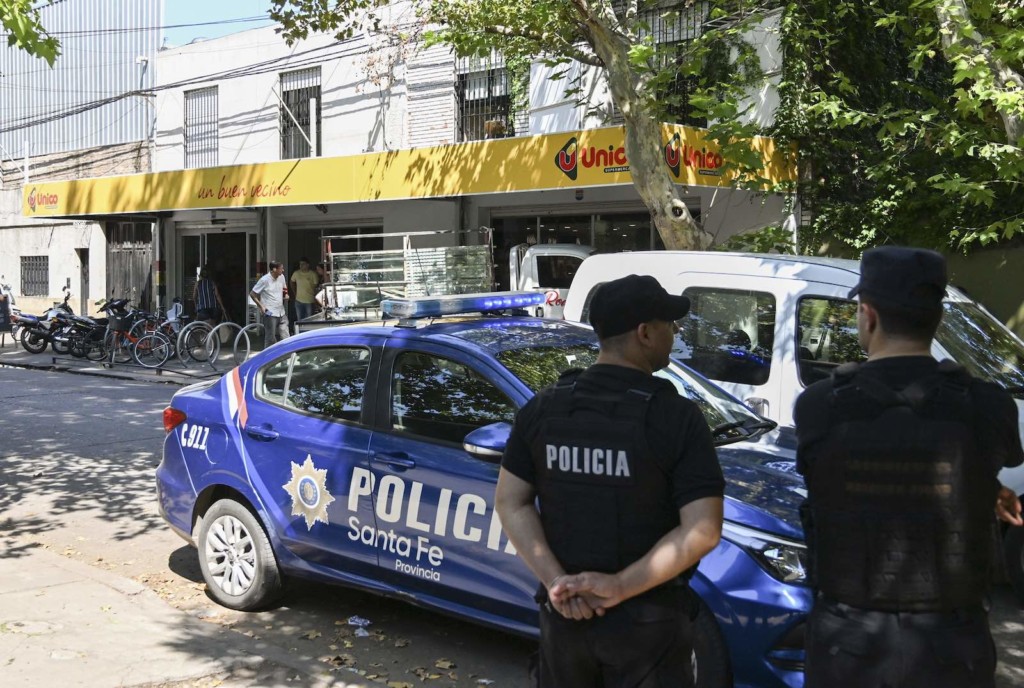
[237,560]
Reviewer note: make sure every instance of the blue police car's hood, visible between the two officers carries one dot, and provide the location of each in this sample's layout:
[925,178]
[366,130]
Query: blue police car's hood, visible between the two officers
[762,488]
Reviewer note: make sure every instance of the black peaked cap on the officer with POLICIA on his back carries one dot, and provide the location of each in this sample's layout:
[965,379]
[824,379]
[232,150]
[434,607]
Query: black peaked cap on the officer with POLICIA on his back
[623,305]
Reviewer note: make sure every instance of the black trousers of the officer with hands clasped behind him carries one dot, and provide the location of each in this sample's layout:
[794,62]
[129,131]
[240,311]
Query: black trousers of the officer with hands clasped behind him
[647,642]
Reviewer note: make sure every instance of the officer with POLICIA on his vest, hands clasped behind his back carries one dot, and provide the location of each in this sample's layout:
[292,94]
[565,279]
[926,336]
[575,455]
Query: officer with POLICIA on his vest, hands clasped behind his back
[630,495]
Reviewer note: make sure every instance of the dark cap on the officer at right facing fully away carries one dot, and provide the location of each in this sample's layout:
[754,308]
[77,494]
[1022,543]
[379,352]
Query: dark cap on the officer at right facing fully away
[903,277]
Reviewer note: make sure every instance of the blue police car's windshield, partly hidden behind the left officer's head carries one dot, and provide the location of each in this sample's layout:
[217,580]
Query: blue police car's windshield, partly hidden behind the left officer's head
[541,366]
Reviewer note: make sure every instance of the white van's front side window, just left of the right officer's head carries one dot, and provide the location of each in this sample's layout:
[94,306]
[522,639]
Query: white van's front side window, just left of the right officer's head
[827,337]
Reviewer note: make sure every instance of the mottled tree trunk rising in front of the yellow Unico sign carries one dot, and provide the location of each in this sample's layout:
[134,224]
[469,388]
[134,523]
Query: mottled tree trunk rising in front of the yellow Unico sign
[644,134]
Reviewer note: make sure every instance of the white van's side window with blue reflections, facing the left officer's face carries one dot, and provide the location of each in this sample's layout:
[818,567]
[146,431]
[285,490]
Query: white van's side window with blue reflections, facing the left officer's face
[729,334]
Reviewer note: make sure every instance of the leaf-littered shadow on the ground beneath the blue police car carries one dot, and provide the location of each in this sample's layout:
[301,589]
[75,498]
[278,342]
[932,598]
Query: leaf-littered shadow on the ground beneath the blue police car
[344,630]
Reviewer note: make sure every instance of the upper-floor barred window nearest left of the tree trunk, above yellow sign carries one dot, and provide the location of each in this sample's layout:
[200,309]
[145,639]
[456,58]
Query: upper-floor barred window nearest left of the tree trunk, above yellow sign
[484,99]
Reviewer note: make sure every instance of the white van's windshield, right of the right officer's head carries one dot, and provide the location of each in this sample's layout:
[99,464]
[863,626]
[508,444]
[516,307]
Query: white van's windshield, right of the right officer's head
[987,350]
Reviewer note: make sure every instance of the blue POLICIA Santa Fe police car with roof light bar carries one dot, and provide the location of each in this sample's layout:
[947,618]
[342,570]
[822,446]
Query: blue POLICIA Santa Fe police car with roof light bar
[367,455]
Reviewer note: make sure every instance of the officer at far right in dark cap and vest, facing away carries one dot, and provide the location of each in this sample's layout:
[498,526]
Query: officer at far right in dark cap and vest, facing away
[901,455]
